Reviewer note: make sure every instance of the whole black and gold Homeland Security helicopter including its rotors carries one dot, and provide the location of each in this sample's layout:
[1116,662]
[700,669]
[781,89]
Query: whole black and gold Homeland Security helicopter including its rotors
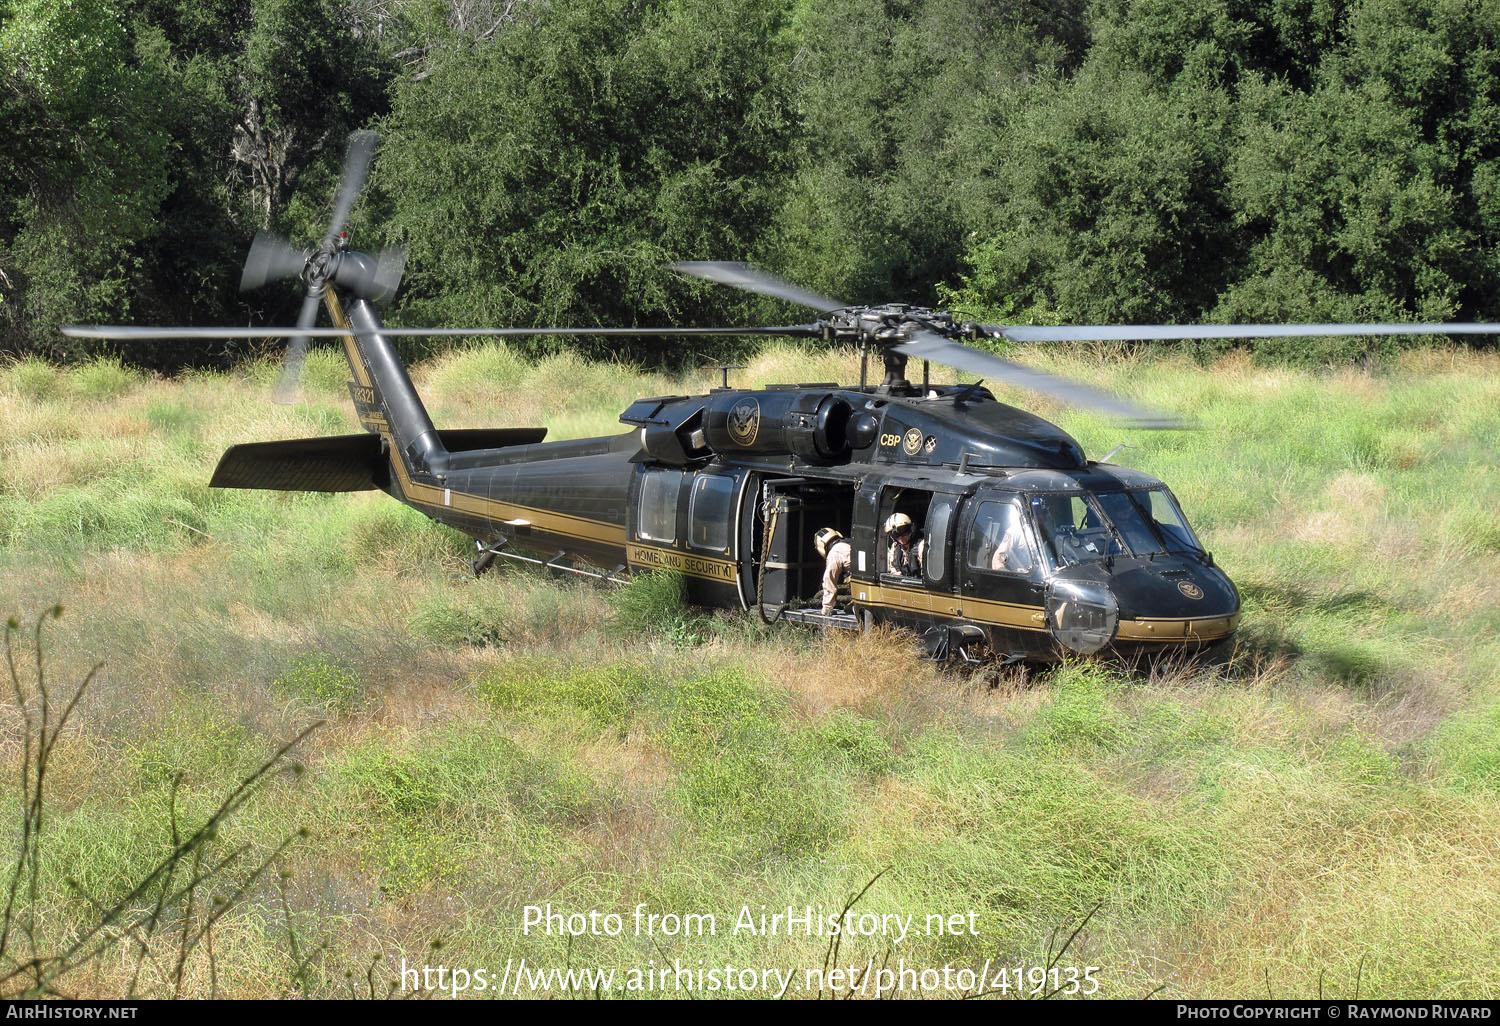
[1033,550]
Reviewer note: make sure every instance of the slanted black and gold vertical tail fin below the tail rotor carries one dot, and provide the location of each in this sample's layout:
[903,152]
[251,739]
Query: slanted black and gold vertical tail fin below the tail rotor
[383,395]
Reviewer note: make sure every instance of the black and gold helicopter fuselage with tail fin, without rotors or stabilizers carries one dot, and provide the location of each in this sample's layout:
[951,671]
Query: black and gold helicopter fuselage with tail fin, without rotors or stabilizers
[1028,548]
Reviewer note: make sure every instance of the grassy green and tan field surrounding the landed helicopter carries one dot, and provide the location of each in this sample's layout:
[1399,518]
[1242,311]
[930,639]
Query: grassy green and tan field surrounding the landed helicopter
[1318,817]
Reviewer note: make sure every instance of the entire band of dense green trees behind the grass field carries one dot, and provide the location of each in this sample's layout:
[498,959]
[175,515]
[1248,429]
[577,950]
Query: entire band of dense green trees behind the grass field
[1025,160]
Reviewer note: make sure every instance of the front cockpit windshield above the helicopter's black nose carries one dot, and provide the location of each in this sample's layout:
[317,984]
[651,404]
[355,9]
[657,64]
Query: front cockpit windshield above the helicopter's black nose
[1081,527]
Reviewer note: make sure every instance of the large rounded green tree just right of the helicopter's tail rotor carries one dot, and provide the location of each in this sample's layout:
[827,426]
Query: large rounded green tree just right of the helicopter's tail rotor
[551,175]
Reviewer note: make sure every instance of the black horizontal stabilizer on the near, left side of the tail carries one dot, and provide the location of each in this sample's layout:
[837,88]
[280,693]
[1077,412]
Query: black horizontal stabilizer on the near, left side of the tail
[337,464]
